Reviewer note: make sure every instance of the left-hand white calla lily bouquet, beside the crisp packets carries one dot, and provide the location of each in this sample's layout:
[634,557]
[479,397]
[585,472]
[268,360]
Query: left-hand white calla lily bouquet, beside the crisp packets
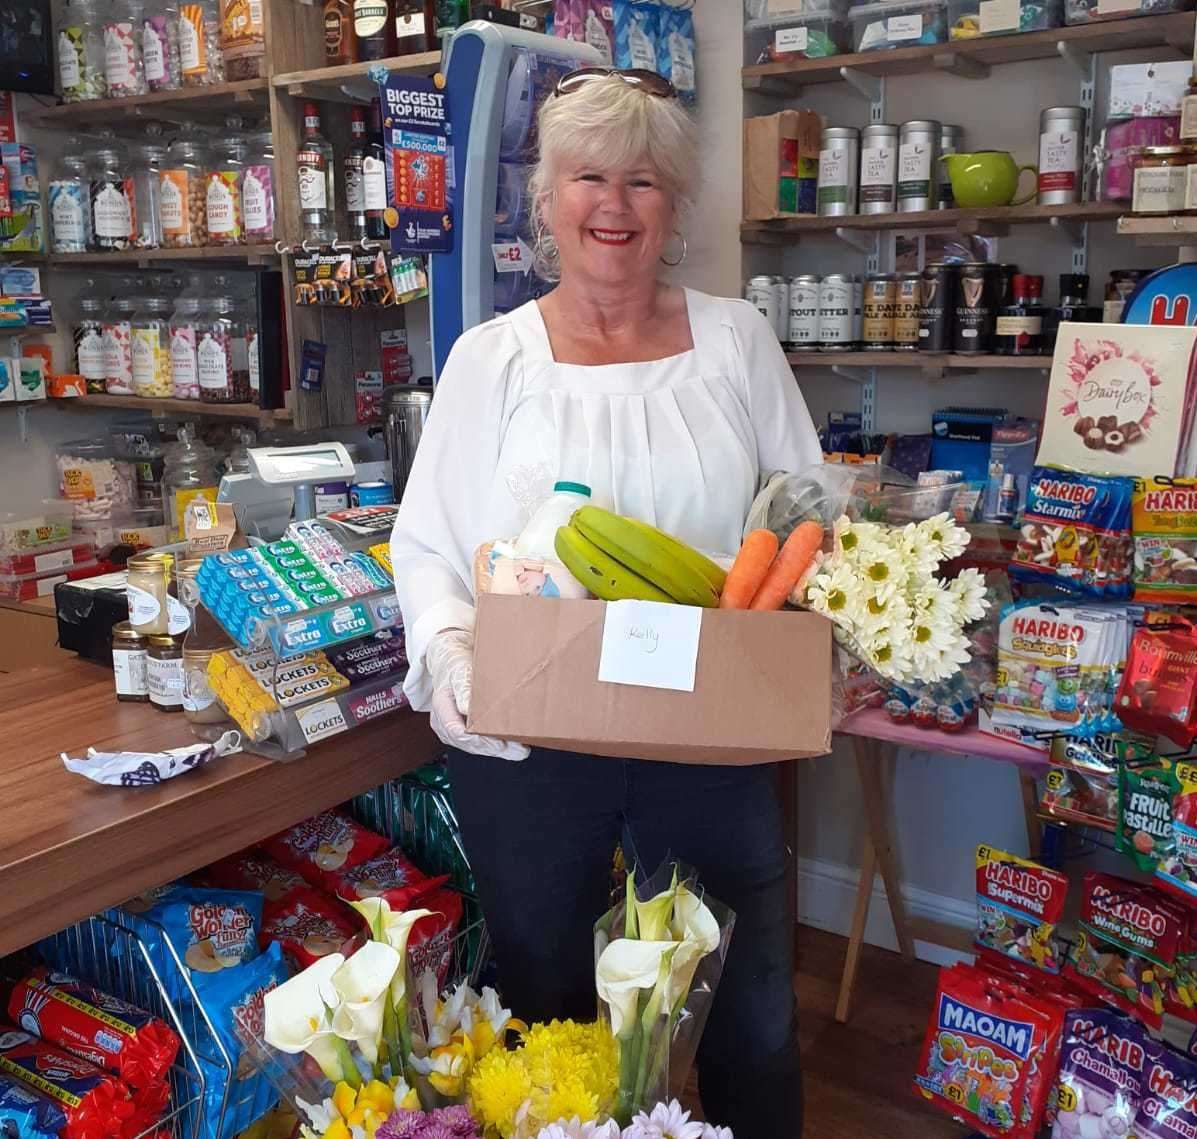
[351,1016]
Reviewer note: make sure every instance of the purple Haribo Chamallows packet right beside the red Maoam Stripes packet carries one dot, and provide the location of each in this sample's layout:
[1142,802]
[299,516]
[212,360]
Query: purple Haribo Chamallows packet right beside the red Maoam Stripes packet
[1102,1069]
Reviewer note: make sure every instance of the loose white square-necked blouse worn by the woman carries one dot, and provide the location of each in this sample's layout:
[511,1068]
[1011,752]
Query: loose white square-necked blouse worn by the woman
[680,443]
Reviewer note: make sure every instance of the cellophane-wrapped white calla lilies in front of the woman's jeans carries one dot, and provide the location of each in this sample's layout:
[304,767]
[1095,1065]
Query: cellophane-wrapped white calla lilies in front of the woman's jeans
[659,958]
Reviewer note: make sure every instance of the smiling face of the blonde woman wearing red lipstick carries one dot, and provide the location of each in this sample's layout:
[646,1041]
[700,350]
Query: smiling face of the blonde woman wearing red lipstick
[611,226]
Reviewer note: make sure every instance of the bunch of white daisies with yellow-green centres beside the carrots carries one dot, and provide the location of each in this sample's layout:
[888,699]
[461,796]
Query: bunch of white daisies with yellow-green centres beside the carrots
[878,588]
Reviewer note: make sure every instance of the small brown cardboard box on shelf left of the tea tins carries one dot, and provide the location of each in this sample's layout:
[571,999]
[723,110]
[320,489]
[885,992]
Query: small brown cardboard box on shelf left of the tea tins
[781,166]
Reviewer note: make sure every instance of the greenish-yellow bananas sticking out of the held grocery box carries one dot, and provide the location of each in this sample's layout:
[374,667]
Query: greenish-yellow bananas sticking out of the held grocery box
[623,559]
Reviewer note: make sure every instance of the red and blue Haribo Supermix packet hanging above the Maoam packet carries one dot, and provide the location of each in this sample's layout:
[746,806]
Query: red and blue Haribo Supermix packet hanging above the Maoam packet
[1019,905]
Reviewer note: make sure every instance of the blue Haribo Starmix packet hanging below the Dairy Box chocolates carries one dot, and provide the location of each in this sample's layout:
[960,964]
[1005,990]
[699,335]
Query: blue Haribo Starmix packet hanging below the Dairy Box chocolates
[1077,534]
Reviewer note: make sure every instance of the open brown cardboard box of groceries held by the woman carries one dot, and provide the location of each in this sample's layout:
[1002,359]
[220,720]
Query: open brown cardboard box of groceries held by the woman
[762,686]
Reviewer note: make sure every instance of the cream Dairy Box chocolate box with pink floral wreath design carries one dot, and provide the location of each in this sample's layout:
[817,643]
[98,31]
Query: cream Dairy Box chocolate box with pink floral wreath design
[1121,400]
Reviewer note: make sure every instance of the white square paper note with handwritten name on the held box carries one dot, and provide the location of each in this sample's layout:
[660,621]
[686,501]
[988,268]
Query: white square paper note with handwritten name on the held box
[651,645]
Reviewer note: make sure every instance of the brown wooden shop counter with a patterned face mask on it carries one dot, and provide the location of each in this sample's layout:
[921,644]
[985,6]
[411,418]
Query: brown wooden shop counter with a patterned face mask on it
[70,848]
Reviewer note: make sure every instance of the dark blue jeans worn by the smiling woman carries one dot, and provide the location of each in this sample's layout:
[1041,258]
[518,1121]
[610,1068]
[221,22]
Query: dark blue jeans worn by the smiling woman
[540,838]
